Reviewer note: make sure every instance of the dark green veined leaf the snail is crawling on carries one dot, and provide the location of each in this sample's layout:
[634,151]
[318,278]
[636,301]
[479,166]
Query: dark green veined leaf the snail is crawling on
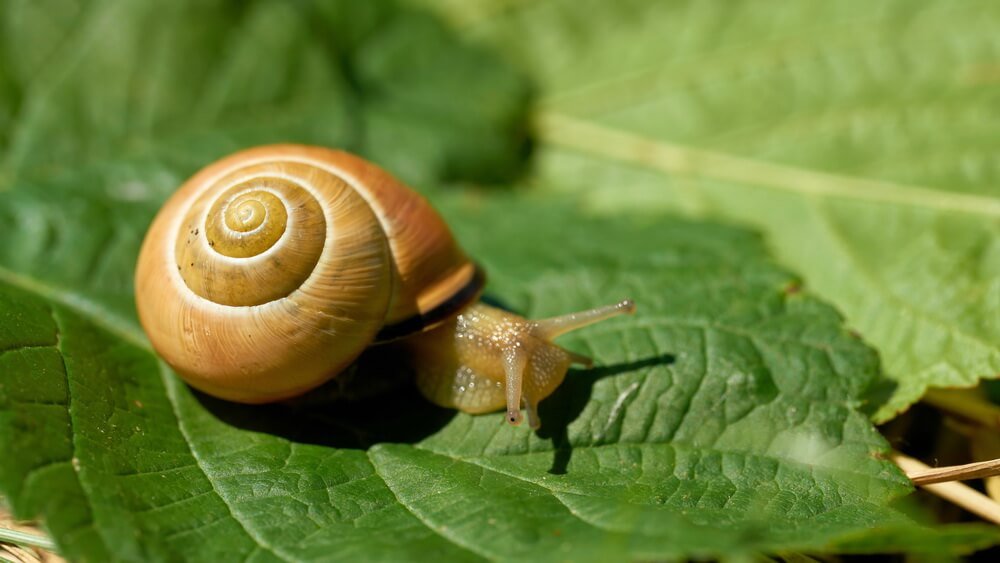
[722,420]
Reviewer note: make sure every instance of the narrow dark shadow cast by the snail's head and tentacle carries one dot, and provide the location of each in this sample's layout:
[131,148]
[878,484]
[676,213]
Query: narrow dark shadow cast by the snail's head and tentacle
[568,401]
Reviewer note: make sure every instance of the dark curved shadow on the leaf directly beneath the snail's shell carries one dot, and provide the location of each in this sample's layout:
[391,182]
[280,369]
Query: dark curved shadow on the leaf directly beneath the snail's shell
[350,412]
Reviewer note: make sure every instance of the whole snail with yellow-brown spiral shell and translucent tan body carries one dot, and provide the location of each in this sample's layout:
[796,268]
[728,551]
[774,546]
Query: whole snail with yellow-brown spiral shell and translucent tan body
[271,270]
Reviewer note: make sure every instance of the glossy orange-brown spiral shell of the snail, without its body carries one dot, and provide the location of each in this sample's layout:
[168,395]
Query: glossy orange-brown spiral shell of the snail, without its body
[269,271]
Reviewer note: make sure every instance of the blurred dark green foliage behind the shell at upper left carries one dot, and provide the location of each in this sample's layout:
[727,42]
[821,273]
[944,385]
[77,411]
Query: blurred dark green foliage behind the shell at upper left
[91,82]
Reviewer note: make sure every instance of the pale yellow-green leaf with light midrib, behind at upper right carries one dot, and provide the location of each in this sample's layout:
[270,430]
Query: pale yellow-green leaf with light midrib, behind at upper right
[860,136]
